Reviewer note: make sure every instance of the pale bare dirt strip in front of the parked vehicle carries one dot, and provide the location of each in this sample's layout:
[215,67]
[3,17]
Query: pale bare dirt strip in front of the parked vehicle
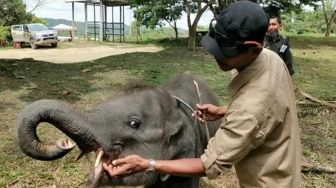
[72,54]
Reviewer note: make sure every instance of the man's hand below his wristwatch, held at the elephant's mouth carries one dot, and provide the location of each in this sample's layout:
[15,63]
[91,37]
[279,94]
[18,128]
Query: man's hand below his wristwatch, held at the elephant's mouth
[126,166]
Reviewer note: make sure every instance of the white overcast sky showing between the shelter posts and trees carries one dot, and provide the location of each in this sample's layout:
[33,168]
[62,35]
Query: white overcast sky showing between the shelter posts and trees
[58,9]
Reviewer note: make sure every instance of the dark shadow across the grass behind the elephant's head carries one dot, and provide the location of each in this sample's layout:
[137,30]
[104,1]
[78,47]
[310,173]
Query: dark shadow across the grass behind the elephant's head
[71,81]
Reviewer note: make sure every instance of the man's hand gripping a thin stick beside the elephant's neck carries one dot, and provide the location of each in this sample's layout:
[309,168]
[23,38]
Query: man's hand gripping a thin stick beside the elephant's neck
[209,112]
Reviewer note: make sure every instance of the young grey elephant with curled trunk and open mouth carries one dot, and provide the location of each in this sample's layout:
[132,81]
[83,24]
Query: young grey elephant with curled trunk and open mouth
[153,122]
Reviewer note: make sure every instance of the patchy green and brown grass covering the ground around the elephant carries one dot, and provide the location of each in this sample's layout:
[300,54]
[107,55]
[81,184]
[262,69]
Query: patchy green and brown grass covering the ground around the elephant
[88,83]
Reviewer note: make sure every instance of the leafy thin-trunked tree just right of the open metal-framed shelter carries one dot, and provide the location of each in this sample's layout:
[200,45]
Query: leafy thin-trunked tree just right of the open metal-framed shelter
[153,13]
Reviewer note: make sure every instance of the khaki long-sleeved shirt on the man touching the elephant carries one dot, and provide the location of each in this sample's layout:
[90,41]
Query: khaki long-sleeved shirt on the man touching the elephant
[260,135]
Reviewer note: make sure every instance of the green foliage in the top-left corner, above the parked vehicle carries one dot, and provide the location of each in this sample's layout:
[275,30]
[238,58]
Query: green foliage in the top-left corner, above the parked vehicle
[13,12]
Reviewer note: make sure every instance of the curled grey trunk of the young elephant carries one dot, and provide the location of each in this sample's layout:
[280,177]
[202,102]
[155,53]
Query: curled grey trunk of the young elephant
[62,116]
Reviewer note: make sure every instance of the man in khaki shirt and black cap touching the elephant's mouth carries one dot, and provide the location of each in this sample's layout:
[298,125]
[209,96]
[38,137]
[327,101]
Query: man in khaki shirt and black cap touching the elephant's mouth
[260,135]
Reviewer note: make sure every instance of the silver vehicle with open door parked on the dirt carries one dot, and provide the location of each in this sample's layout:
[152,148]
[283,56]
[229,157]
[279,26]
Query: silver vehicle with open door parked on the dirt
[35,34]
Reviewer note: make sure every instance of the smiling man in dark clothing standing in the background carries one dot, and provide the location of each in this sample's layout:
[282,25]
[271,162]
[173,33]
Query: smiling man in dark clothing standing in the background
[279,43]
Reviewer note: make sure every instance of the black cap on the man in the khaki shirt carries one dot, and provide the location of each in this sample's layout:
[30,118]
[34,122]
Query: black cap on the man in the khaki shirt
[238,26]
